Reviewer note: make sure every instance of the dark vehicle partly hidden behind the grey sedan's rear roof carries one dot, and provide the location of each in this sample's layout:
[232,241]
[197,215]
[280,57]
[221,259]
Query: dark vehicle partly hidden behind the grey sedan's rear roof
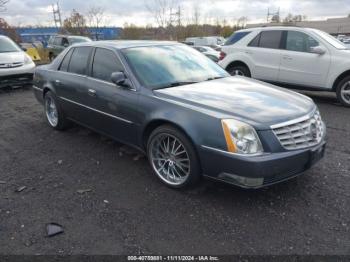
[60,42]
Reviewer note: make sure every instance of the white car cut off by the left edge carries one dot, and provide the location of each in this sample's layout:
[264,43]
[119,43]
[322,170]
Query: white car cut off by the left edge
[16,67]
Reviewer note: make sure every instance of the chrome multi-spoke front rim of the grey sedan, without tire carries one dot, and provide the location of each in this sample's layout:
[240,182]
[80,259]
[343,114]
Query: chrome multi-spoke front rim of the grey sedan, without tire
[170,159]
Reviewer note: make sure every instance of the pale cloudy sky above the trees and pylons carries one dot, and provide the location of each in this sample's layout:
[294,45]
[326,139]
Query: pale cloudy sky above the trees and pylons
[119,12]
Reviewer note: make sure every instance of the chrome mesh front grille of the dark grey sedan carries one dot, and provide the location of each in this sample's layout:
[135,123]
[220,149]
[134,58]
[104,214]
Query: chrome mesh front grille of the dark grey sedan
[303,133]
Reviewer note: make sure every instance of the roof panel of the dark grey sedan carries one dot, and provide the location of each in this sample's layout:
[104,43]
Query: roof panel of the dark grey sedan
[123,44]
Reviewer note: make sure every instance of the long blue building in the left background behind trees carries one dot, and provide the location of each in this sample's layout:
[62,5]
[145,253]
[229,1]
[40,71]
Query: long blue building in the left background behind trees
[43,34]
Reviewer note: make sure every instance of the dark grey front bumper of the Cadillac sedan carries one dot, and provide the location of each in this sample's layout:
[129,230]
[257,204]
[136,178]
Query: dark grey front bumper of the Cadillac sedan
[258,171]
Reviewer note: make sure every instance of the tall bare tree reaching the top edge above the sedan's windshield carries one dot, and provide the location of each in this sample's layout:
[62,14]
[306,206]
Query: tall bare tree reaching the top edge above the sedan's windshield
[163,11]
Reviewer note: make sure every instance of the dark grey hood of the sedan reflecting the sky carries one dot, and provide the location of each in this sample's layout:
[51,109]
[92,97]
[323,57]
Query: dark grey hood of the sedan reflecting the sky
[251,101]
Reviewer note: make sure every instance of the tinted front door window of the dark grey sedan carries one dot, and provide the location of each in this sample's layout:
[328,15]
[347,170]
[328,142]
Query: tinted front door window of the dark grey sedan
[105,63]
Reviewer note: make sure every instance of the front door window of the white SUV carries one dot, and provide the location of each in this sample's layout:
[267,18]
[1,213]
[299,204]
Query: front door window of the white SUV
[300,42]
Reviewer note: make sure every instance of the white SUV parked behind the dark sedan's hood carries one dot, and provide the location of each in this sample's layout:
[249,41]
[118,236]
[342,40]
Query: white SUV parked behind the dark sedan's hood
[304,57]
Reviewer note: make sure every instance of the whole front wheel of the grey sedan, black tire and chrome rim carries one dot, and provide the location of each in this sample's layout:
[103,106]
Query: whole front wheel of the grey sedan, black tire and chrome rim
[173,158]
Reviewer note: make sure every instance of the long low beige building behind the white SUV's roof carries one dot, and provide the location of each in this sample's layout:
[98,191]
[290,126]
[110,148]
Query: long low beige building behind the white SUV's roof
[334,26]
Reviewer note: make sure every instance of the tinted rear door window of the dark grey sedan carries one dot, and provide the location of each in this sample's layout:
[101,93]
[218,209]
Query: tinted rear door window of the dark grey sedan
[78,62]
